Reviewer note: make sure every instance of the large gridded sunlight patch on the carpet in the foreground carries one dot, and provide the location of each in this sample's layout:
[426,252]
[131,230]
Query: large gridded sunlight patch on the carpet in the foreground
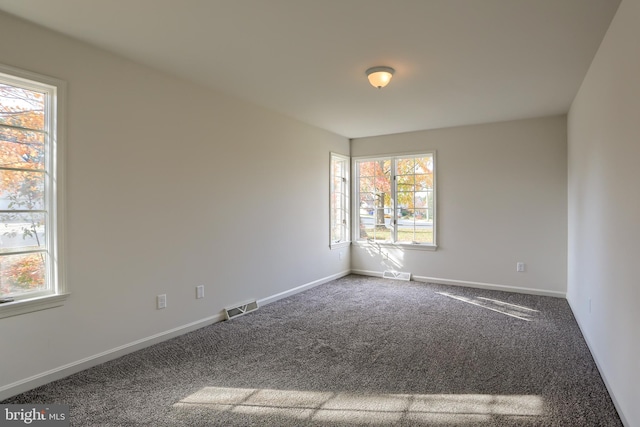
[366,407]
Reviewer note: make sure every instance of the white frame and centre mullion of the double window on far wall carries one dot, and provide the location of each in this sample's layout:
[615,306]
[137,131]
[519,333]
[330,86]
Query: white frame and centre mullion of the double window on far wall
[355,208]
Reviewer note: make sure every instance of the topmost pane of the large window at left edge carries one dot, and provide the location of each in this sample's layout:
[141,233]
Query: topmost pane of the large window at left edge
[21,107]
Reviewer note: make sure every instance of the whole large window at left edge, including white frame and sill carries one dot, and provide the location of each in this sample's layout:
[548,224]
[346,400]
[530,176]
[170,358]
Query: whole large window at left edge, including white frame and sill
[30,192]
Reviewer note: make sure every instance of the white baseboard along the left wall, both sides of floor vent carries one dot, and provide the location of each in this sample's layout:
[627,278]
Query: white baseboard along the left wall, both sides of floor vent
[21,386]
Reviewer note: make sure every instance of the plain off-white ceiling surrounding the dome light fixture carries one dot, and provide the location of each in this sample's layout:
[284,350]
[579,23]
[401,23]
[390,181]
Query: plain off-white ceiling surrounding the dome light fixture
[457,62]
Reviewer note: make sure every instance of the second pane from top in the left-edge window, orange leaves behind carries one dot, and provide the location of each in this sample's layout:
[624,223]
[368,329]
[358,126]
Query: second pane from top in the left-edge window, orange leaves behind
[21,148]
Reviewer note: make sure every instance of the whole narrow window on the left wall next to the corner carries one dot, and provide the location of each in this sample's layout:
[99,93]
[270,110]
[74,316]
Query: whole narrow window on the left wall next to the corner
[339,200]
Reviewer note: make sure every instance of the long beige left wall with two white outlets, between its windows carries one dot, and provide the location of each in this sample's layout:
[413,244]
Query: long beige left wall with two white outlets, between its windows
[169,185]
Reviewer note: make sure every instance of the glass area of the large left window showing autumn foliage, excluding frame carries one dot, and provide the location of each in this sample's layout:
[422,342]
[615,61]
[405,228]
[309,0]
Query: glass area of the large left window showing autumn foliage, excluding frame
[22,183]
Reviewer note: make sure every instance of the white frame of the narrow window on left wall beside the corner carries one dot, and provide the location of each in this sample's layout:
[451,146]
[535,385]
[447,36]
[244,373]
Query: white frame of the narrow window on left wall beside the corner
[344,203]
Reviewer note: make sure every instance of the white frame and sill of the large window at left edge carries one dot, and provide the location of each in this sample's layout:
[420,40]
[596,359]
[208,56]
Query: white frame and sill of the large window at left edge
[57,290]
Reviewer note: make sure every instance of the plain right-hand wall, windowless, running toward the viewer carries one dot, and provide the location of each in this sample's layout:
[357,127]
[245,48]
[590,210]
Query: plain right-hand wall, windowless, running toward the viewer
[604,209]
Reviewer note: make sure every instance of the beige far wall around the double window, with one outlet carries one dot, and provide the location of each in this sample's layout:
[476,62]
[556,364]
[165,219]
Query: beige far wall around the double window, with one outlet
[501,199]
